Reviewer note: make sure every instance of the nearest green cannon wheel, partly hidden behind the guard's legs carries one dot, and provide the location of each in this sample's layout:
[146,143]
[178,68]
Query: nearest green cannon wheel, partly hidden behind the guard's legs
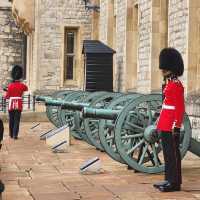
[134,137]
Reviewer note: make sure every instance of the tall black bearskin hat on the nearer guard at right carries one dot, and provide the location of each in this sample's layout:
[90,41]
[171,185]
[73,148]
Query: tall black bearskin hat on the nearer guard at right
[170,59]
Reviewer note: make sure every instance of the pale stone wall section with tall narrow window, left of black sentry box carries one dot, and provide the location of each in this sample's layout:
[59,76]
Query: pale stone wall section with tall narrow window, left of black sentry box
[54,47]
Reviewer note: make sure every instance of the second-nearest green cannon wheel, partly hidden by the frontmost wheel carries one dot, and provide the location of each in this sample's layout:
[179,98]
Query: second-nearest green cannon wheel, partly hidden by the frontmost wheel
[106,127]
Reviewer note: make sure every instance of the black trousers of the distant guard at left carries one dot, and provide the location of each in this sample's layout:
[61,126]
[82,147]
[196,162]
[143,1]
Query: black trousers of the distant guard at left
[14,120]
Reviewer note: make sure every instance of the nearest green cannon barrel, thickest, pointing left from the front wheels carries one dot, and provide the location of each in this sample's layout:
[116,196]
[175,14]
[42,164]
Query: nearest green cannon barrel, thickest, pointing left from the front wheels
[99,113]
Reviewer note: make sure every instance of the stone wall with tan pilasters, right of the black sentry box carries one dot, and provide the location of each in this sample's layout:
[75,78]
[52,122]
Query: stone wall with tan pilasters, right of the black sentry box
[139,29]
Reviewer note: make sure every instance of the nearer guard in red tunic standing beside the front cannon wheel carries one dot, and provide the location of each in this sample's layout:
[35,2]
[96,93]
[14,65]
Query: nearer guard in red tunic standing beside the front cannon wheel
[171,118]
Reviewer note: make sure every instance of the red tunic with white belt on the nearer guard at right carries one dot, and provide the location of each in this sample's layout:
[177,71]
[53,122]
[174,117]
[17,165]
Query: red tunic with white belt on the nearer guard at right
[173,107]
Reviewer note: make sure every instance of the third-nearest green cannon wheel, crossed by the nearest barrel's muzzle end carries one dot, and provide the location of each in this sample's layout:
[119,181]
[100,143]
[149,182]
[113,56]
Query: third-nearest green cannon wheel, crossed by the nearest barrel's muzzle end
[92,125]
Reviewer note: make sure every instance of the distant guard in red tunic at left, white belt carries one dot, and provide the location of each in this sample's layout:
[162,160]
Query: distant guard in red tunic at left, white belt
[14,93]
